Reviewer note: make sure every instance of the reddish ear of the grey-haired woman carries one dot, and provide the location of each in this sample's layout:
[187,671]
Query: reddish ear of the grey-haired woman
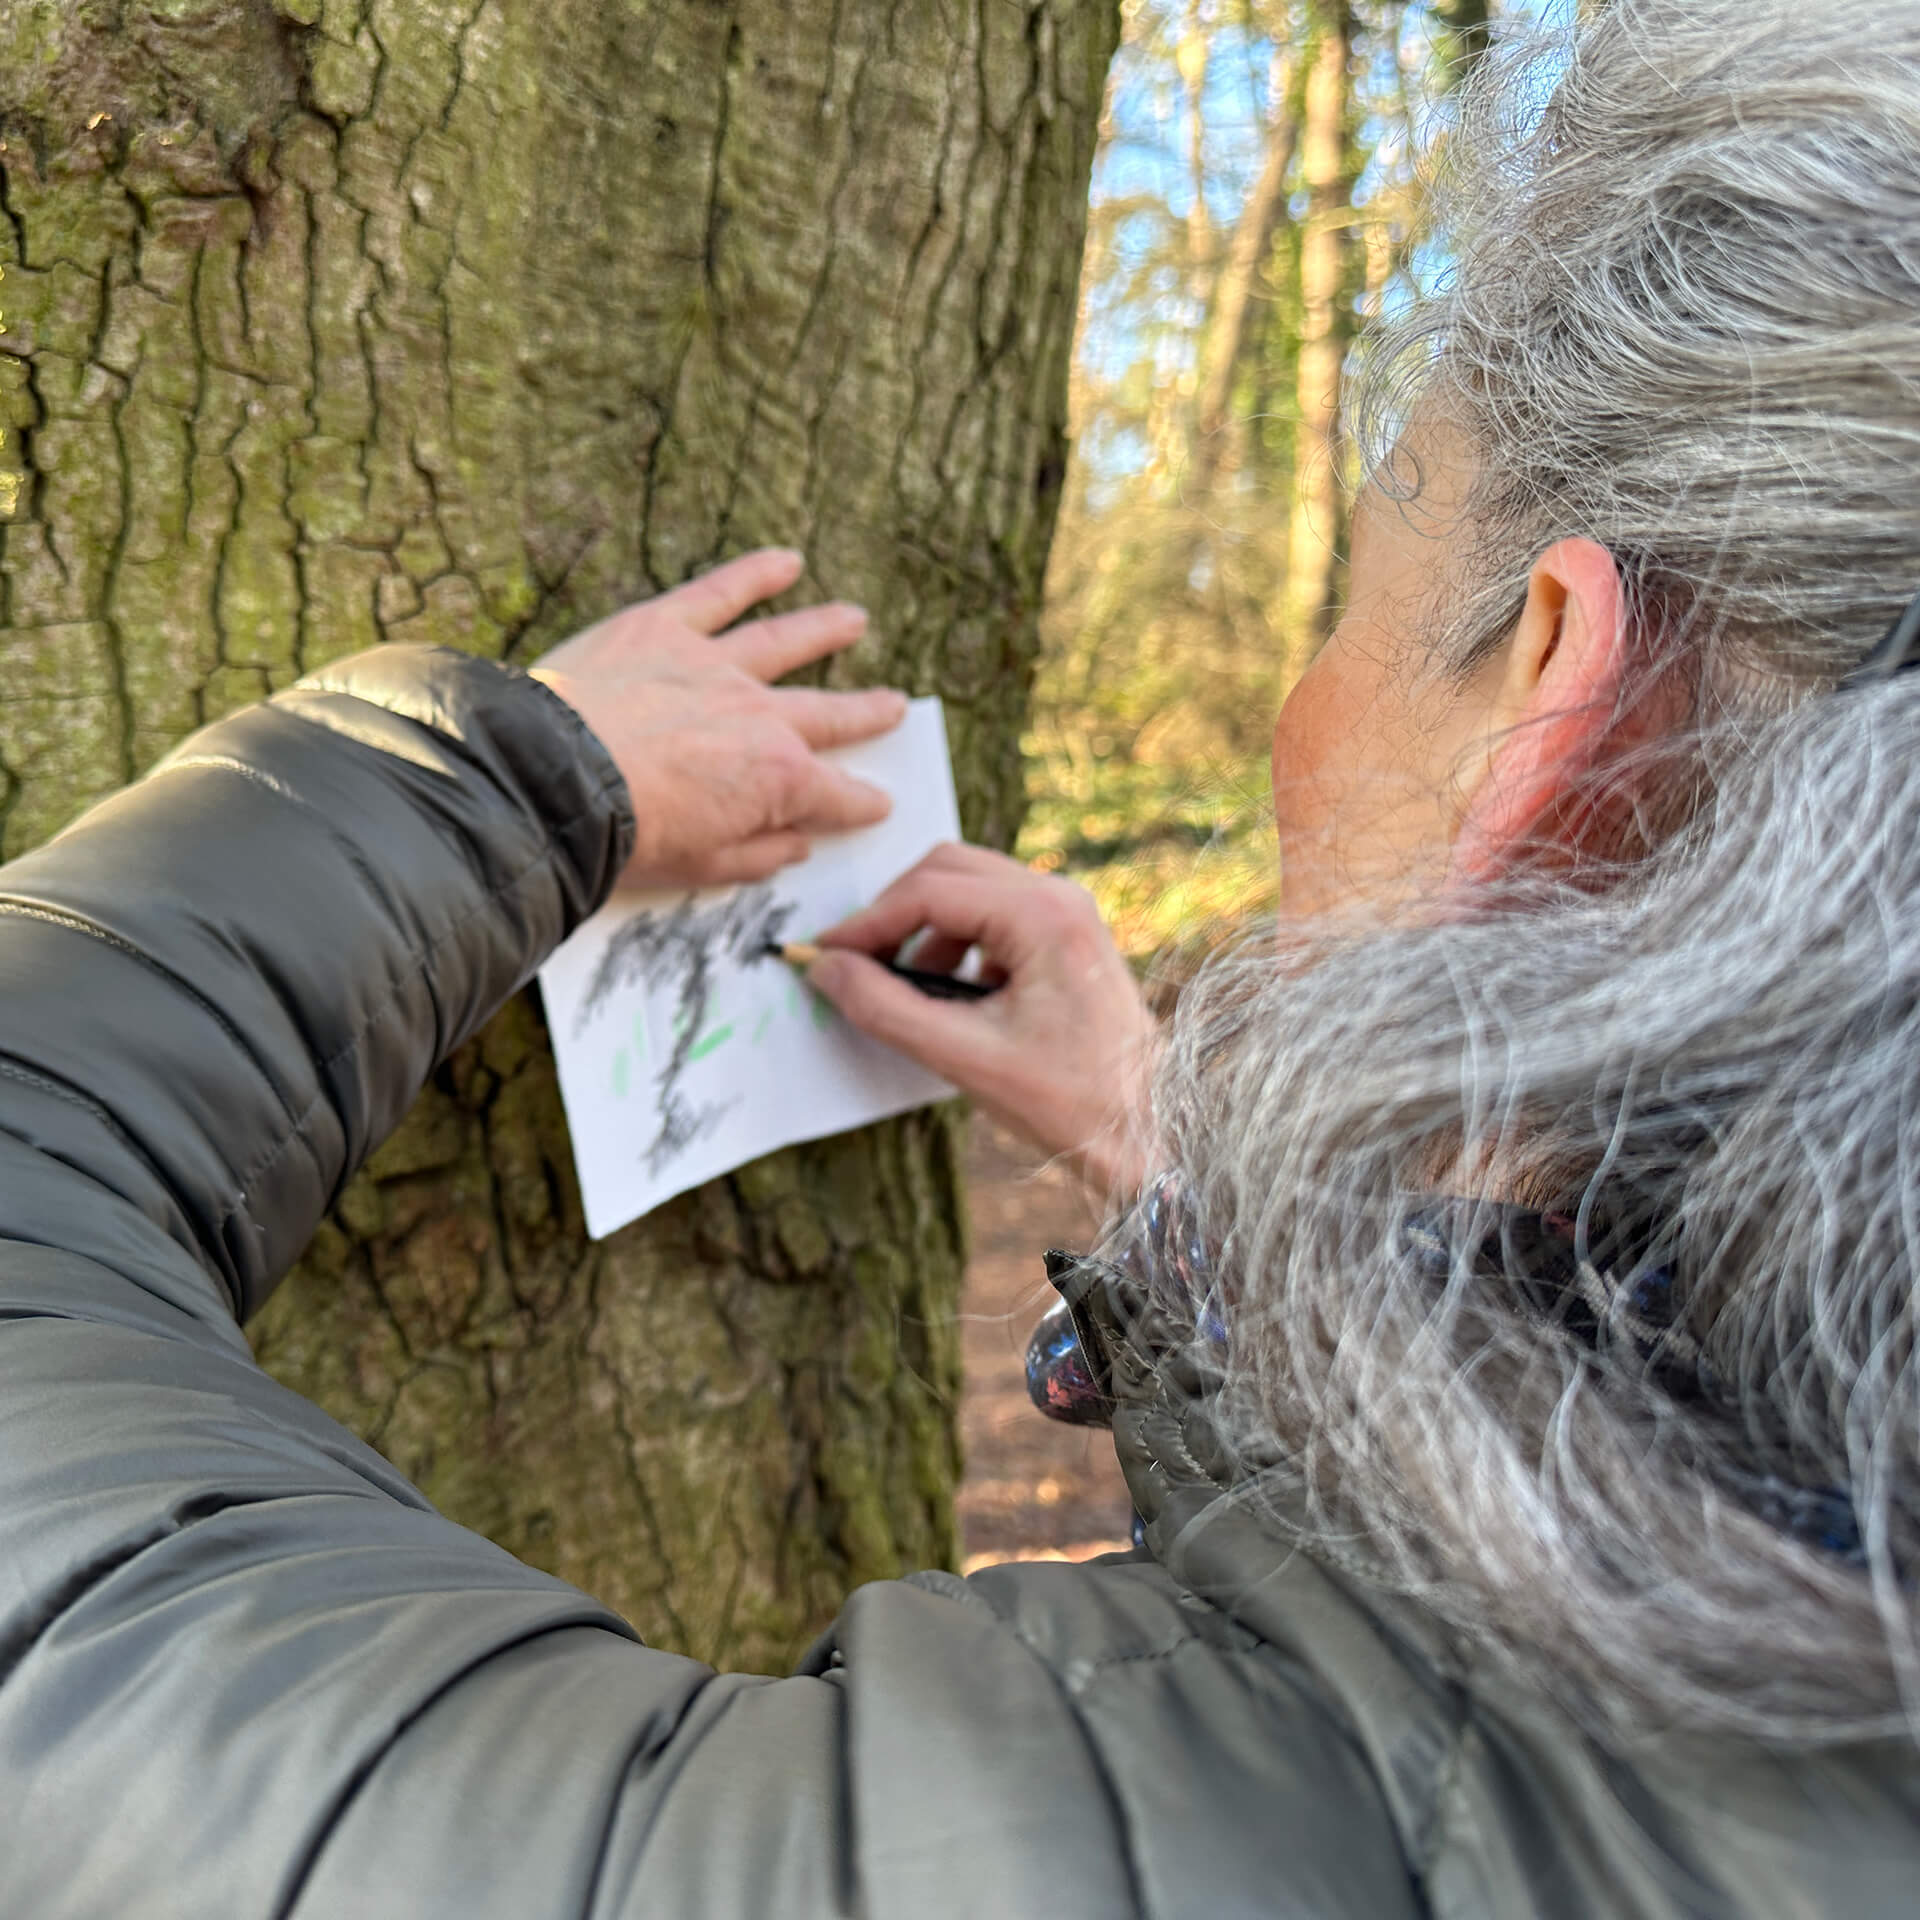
[1556,708]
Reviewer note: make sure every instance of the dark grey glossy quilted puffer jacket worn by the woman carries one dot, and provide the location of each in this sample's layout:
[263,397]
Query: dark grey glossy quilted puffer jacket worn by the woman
[245,1669]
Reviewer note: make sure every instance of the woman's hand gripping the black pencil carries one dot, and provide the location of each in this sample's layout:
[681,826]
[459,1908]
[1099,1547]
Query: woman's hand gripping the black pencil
[1063,1053]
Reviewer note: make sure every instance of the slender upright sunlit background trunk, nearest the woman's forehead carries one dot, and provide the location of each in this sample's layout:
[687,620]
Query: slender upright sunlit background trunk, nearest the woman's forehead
[1324,162]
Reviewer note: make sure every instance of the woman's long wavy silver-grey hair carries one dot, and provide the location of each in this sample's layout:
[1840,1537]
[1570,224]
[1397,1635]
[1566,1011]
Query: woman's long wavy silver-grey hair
[1683,320]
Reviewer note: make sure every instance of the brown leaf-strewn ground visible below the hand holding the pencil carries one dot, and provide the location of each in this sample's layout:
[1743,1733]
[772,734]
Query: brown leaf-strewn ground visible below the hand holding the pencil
[1034,1489]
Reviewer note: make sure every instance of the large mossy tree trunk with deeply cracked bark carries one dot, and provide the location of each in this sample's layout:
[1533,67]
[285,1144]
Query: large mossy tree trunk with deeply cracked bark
[466,322]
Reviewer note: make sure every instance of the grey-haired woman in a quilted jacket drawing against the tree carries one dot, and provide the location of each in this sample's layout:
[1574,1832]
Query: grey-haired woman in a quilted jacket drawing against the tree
[1512,1356]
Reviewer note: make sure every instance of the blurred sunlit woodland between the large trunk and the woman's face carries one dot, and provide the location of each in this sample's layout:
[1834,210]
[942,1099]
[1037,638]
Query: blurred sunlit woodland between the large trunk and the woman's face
[1255,201]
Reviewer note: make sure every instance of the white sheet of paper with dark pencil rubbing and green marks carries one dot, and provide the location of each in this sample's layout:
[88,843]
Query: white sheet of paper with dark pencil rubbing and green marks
[684,1057]
